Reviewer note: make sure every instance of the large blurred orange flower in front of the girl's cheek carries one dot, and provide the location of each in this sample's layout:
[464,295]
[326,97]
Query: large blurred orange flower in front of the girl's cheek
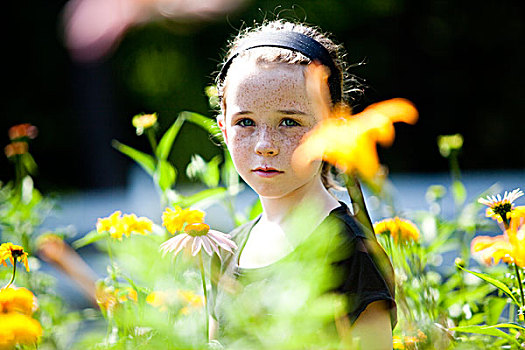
[345,140]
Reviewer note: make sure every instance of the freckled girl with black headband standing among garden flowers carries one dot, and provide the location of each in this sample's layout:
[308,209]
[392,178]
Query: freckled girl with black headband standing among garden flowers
[266,111]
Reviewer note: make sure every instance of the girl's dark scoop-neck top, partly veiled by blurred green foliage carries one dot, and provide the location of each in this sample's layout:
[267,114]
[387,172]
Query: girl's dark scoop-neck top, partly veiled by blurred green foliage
[339,257]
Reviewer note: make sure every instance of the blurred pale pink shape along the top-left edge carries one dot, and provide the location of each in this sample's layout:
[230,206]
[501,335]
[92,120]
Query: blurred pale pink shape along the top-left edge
[94,27]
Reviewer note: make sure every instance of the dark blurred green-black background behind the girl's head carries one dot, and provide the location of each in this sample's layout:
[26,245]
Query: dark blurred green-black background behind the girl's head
[460,62]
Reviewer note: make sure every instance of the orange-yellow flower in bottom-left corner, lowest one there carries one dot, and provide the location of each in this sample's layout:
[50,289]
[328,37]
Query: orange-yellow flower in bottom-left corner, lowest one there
[18,329]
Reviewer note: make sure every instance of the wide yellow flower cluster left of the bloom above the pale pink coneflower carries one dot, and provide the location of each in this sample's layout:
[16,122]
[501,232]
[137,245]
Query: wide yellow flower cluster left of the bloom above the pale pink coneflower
[118,225]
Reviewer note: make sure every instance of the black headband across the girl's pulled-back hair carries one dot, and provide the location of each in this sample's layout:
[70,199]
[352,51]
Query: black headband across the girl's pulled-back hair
[294,41]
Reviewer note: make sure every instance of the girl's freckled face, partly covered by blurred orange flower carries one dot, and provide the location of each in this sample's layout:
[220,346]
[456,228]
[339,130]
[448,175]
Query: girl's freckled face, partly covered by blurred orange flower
[267,113]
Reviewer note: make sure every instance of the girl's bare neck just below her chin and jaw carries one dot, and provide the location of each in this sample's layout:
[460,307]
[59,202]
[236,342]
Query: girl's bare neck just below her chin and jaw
[312,195]
